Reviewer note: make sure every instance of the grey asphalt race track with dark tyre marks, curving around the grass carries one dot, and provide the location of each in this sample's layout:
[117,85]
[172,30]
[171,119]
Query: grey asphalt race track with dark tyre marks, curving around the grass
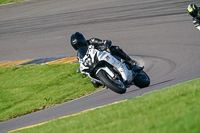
[159,32]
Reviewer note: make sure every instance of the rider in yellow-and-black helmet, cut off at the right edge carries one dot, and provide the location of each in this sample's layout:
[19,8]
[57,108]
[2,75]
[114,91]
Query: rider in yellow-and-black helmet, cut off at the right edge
[194,11]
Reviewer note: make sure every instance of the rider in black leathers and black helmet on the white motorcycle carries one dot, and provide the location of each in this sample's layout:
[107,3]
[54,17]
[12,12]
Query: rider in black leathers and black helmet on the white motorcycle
[78,40]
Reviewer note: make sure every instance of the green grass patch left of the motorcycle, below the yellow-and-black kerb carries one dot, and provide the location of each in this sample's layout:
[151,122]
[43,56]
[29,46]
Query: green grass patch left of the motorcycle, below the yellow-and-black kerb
[29,88]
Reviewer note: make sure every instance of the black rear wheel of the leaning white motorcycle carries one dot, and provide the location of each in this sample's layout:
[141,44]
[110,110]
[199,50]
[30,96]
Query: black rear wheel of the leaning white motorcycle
[142,80]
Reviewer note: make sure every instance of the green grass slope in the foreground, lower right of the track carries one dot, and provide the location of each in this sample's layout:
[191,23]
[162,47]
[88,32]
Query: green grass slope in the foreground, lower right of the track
[172,110]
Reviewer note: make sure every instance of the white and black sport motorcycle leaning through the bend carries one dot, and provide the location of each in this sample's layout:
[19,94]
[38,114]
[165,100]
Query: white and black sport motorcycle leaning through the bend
[109,70]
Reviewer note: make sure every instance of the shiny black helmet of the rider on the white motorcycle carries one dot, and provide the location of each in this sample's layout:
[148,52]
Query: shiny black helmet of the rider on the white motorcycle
[78,40]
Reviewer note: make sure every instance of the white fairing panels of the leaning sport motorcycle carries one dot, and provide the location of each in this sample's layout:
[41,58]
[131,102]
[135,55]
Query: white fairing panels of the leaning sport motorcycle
[105,56]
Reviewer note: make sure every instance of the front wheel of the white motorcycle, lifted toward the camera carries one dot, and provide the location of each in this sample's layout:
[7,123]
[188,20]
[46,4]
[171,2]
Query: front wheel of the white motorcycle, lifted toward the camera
[113,84]
